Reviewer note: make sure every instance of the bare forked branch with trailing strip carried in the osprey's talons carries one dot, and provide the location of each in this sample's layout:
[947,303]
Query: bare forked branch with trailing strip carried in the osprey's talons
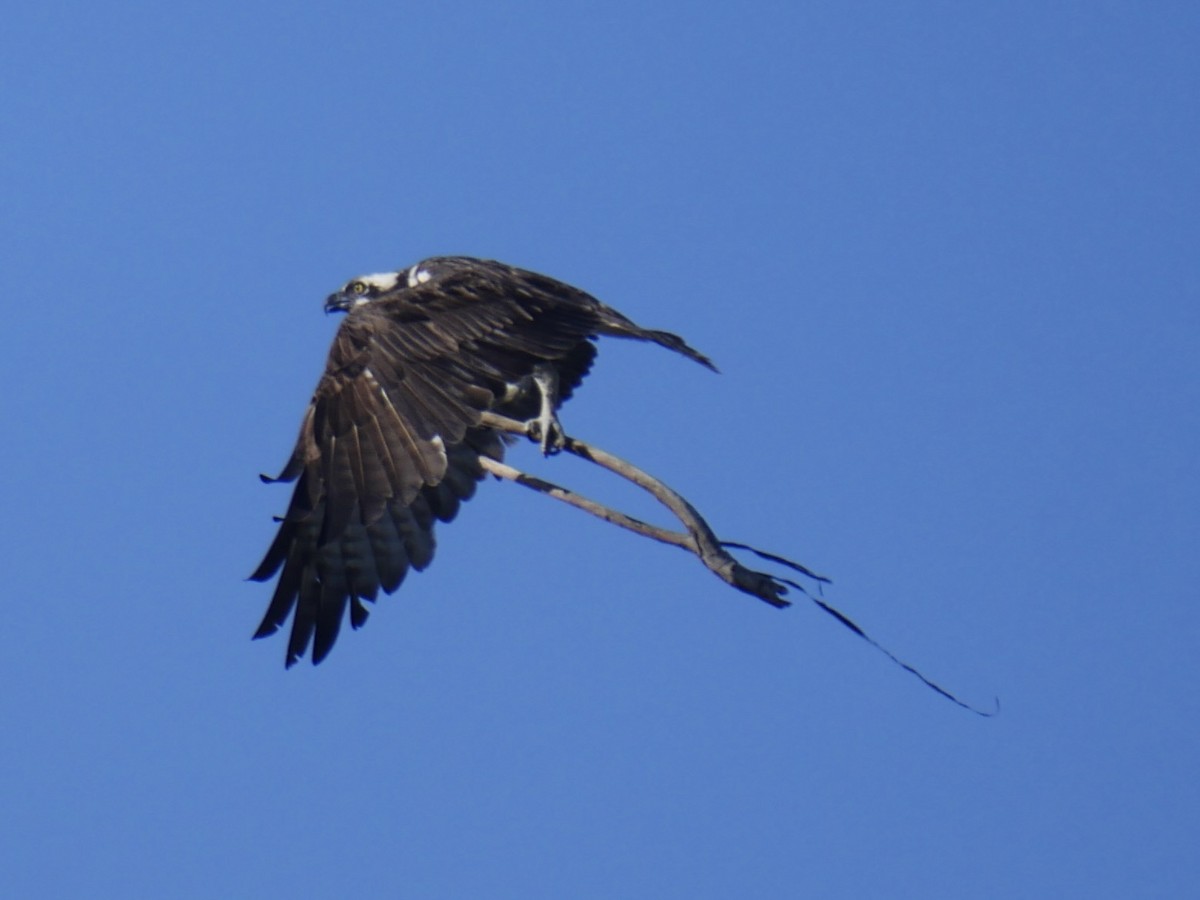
[698,537]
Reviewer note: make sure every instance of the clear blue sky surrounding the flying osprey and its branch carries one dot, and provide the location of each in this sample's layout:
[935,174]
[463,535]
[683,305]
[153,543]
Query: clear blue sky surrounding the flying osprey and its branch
[946,256]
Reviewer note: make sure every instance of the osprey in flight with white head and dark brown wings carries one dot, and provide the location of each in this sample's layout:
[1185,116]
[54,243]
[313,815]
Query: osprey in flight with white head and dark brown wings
[393,439]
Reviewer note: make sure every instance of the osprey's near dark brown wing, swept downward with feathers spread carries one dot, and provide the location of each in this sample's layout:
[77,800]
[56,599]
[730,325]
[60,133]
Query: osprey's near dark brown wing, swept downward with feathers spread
[389,446]
